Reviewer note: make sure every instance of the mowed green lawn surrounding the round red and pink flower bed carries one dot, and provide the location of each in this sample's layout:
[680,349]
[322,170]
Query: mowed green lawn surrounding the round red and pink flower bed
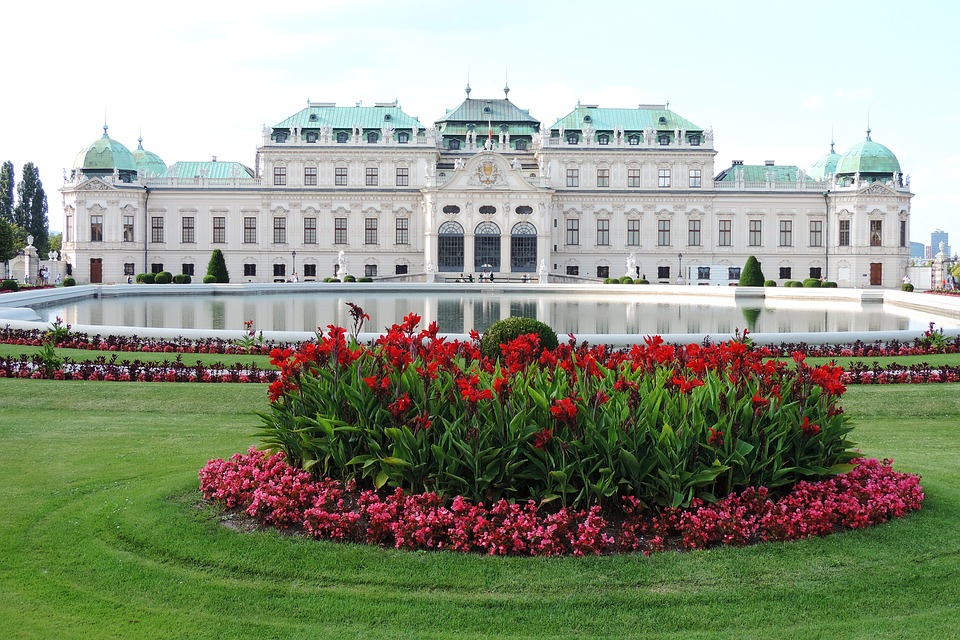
[101,537]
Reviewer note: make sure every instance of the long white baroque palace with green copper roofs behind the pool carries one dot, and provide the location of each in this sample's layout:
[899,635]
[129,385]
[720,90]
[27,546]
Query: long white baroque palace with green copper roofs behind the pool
[370,191]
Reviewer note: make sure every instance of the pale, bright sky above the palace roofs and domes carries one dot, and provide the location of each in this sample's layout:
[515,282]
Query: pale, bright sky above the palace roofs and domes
[775,81]
